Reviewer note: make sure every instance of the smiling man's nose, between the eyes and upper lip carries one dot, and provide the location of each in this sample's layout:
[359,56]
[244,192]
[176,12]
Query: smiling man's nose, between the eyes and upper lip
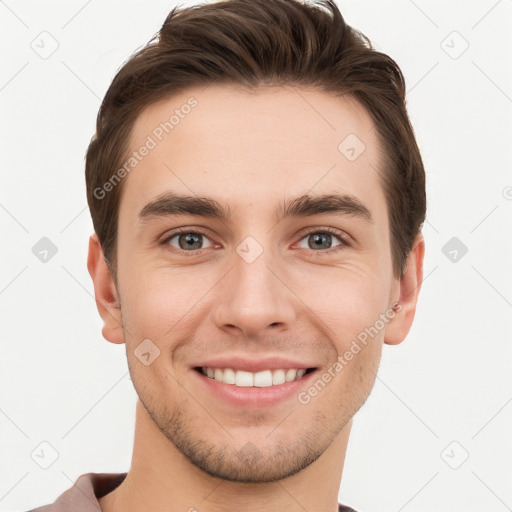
[254,298]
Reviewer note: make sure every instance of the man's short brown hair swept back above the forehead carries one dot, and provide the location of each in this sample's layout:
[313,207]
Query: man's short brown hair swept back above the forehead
[261,42]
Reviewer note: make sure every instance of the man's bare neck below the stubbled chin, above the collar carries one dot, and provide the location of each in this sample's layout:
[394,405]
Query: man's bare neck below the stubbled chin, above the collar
[161,479]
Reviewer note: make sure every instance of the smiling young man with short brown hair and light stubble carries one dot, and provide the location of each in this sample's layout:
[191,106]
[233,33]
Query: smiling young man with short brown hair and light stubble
[257,196]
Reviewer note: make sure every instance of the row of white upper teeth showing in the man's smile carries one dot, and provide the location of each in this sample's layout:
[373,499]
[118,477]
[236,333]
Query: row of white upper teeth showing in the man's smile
[248,379]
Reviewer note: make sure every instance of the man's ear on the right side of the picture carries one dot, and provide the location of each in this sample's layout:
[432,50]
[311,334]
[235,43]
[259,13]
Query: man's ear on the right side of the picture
[409,288]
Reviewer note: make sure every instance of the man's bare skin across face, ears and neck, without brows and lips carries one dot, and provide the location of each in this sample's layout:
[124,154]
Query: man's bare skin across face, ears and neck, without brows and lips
[250,150]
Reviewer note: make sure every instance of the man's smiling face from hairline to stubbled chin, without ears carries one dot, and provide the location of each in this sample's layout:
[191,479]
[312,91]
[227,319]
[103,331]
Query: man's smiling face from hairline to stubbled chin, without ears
[252,276]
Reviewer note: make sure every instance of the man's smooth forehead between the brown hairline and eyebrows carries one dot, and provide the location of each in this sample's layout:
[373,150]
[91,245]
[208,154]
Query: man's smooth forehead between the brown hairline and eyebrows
[253,147]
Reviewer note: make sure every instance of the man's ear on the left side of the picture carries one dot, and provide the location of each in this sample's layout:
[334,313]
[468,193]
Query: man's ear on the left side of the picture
[107,300]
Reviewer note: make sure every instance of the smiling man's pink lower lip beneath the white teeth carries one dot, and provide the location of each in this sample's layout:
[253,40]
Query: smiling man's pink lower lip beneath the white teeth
[254,397]
